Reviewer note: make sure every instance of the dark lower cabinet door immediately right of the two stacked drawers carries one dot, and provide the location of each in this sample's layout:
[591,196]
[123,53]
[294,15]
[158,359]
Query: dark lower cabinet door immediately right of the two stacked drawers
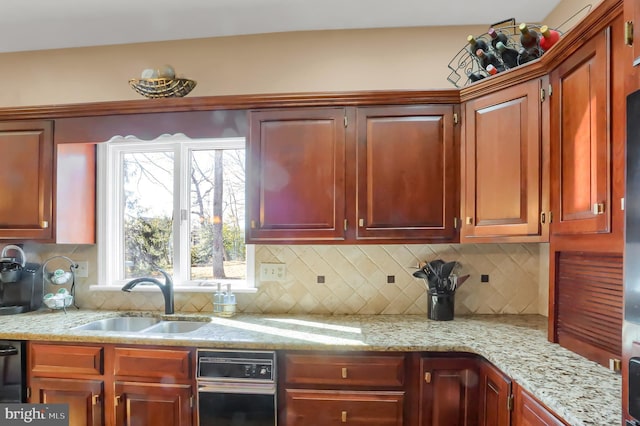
[449,392]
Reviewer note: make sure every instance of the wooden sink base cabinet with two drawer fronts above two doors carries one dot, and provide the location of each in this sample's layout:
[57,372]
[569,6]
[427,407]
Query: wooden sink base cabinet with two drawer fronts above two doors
[114,385]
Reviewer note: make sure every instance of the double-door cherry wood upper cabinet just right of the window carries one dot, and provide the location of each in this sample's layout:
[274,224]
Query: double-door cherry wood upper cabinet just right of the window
[365,174]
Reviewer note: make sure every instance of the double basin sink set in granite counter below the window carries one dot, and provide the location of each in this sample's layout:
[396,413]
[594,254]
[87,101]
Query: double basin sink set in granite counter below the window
[142,325]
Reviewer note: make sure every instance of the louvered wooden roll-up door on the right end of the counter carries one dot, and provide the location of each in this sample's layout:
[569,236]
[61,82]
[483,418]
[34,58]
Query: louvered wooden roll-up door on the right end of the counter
[589,304]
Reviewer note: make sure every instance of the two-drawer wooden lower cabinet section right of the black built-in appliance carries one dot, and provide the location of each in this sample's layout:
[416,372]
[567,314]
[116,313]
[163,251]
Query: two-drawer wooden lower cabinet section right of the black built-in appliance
[323,389]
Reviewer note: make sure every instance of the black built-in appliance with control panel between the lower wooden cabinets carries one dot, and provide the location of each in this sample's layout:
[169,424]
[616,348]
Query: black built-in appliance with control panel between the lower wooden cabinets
[236,388]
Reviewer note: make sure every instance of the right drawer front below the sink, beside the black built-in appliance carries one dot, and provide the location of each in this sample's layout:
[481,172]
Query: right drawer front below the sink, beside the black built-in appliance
[153,363]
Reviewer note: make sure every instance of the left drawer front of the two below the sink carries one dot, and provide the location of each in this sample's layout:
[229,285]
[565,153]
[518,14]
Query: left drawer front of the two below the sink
[47,359]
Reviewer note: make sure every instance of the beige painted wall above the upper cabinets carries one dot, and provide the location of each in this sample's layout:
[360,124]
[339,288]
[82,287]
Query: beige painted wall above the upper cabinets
[314,61]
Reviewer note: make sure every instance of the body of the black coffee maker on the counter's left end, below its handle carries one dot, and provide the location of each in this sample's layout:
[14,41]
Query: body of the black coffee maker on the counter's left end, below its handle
[25,294]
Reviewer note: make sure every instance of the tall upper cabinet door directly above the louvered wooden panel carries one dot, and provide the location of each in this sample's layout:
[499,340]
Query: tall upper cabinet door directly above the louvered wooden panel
[580,142]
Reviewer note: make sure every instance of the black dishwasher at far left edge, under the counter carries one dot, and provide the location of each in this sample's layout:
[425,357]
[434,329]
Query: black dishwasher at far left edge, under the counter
[12,371]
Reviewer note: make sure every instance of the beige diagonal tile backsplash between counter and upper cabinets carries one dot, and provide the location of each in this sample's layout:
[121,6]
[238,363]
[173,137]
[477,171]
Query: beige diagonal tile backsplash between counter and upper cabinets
[355,280]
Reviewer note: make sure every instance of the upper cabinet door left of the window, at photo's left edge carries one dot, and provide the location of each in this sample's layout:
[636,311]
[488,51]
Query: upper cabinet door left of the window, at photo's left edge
[27,180]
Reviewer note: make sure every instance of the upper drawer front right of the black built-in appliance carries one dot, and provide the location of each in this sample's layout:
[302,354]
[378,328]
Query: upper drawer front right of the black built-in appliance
[353,370]
